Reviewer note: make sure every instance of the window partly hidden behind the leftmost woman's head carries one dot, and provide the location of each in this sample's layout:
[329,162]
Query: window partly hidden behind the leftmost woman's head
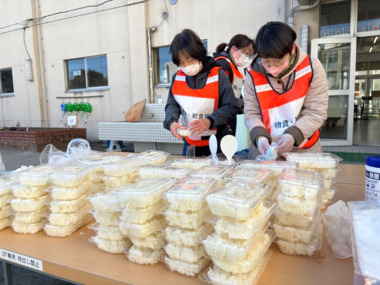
[164,68]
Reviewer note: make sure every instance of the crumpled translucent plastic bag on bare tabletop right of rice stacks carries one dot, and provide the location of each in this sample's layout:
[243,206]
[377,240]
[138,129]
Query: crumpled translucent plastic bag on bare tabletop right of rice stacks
[337,219]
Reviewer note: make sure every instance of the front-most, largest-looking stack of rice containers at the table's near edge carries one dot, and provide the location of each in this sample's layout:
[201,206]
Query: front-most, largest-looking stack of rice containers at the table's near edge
[239,246]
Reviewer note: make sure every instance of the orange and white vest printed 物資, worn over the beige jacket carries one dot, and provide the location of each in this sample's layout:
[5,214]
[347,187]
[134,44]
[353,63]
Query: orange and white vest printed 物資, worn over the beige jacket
[280,110]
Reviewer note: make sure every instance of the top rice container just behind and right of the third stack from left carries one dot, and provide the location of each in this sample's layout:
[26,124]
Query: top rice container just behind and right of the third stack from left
[122,167]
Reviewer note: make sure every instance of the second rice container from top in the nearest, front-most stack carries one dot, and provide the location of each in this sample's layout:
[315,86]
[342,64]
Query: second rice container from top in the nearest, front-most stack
[246,229]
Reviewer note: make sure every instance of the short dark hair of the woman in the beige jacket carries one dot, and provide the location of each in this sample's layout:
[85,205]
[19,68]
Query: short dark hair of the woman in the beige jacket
[275,40]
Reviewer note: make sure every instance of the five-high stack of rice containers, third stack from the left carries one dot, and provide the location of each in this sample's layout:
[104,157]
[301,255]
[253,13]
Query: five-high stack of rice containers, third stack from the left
[69,206]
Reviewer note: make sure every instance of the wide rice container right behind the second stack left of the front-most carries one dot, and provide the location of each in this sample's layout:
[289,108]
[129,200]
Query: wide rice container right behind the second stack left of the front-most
[153,171]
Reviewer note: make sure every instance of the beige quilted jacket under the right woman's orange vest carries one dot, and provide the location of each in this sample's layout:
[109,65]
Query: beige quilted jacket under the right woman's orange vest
[312,115]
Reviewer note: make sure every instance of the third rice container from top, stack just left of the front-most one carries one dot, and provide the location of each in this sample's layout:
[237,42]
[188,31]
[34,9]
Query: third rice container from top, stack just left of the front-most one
[182,237]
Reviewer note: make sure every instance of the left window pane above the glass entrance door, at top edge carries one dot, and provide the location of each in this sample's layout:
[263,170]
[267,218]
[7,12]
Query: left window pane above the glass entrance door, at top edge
[335,18]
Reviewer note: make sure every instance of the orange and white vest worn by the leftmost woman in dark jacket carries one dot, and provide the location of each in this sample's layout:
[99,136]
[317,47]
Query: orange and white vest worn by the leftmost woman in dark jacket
[197,103]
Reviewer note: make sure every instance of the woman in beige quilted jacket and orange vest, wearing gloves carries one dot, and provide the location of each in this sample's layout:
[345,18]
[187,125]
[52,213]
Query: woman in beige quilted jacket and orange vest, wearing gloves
[286,94]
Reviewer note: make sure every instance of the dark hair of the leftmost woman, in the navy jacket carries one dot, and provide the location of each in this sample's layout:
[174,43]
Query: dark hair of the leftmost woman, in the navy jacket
[188,43]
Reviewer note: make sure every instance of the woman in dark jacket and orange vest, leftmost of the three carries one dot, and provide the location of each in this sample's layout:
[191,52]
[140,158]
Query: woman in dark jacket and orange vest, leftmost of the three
[200,92]
